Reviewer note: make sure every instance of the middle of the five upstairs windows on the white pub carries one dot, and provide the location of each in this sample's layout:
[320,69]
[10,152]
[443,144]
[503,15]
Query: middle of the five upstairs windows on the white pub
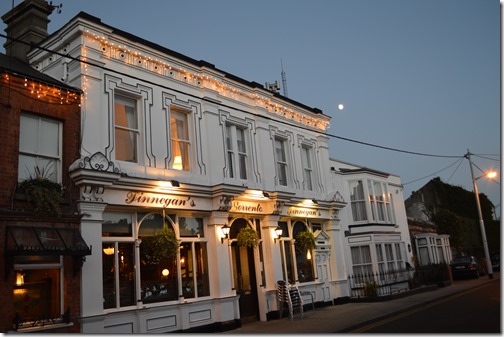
[236,152]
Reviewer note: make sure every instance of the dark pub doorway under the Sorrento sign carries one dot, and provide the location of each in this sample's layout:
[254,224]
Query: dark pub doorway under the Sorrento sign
[244,275]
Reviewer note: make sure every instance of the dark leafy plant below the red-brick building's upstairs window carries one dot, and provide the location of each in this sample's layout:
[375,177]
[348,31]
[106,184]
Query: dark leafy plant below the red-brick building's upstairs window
[42,193]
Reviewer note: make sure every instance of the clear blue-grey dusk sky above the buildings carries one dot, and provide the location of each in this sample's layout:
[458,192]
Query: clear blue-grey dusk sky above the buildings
[418,76]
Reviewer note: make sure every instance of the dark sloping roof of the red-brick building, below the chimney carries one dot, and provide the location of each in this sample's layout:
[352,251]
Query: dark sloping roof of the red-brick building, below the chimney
[17,67]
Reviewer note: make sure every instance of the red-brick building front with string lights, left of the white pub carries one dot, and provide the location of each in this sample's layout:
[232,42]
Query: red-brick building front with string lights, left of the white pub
[42,251]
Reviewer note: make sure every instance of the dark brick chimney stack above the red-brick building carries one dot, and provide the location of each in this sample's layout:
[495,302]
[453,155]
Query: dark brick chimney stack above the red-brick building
[26,22]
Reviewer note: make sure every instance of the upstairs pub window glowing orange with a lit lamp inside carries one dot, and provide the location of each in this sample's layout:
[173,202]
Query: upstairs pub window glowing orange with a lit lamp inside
[180,144]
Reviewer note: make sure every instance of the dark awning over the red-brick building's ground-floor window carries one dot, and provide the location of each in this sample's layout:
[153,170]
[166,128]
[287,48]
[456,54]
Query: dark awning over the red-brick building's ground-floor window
[34,240]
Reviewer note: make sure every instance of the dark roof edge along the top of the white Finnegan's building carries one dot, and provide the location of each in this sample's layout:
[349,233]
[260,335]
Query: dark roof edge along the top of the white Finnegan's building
[172,53]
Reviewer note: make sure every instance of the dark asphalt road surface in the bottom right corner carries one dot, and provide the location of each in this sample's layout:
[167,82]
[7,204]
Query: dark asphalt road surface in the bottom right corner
[475,310]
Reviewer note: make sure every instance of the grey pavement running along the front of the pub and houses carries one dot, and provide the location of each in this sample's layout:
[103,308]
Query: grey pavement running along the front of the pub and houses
[349,317]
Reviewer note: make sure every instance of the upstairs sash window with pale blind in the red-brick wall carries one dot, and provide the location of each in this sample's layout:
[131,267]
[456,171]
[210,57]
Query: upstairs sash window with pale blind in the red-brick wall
[39,148]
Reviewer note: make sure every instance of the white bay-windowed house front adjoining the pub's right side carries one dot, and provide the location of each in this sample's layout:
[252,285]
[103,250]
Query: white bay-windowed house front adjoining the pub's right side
[376,238]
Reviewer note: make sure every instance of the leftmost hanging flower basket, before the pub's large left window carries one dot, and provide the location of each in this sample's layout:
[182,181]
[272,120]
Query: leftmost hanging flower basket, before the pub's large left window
[161,245]
